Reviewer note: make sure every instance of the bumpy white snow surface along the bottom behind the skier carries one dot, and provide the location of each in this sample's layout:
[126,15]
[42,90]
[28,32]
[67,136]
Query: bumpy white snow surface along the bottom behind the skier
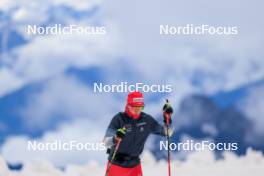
[198,163]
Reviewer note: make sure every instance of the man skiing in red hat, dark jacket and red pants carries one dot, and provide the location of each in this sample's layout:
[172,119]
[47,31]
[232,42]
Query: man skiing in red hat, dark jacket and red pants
[127,133]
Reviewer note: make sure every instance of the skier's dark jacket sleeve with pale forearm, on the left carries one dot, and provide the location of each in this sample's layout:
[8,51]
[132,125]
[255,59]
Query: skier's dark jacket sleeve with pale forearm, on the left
[111,131]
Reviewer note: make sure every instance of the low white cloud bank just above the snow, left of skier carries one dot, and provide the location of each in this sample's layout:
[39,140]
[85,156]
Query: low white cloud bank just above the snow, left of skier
[15,148]
